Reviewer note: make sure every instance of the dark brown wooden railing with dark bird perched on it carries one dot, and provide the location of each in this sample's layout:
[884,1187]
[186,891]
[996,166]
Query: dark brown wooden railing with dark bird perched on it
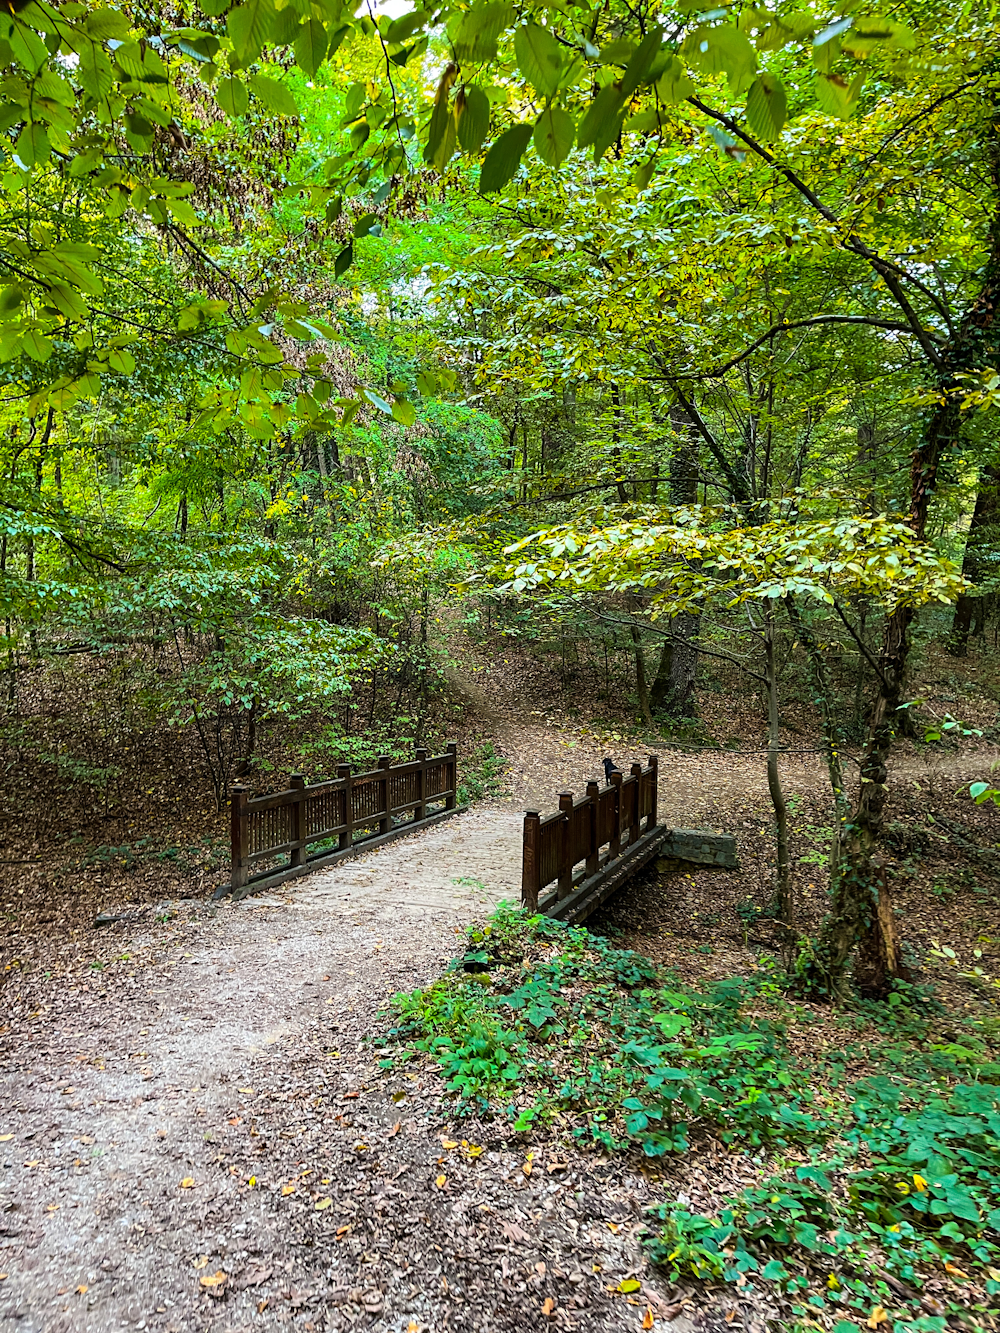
[575,835]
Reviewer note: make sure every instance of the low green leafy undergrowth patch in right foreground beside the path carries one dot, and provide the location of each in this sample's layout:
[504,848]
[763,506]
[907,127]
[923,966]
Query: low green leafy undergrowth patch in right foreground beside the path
[879,1199]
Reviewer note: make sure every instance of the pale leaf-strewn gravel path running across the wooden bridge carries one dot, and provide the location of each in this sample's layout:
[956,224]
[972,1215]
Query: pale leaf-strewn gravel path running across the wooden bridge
[197,1134]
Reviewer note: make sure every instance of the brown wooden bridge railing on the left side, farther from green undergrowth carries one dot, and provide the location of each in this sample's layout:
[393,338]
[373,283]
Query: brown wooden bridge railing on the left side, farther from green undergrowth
[341,814]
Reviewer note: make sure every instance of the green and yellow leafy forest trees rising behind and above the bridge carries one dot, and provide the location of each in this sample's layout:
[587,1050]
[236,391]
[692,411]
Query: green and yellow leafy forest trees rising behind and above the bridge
[318,323]
